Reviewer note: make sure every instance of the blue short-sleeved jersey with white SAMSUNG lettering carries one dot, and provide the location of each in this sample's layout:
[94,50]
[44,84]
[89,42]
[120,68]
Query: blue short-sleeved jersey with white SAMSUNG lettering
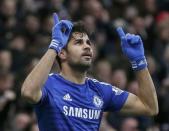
[66,106]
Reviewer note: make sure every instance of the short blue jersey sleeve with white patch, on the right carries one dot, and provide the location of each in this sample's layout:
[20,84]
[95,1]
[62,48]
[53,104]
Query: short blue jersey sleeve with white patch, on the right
[114,98]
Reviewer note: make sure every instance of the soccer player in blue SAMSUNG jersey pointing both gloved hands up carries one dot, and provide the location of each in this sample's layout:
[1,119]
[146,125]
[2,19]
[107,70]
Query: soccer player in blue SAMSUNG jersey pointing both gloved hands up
[70,101]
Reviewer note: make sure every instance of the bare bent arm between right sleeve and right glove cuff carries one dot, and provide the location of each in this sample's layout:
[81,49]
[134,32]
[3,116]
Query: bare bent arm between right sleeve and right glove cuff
[146,101]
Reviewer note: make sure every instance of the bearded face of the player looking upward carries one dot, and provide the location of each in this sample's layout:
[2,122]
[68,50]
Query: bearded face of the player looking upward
[79,51]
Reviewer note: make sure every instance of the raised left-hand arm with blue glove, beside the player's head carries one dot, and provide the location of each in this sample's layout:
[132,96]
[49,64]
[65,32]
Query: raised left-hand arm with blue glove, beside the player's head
[31,88]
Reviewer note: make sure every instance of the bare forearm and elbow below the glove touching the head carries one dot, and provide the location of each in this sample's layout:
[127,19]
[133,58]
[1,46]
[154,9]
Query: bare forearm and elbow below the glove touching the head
[31,88]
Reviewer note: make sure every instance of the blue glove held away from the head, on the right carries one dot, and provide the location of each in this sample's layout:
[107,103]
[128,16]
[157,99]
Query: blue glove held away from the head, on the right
[132,47]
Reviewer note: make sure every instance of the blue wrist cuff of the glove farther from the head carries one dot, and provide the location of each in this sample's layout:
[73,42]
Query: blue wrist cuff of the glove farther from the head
[139,64]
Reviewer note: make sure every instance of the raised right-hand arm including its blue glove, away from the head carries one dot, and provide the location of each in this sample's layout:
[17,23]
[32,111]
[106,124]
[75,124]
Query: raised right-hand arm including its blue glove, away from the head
[145,103]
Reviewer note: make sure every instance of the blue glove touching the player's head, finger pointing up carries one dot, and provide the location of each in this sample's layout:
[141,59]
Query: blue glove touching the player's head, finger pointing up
[60,33]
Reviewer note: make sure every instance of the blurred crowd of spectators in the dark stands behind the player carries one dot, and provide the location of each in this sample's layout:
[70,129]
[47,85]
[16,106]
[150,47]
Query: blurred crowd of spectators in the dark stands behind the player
[25,33]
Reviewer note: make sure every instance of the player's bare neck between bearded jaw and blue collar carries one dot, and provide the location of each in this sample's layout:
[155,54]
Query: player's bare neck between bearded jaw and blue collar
[73,75]
